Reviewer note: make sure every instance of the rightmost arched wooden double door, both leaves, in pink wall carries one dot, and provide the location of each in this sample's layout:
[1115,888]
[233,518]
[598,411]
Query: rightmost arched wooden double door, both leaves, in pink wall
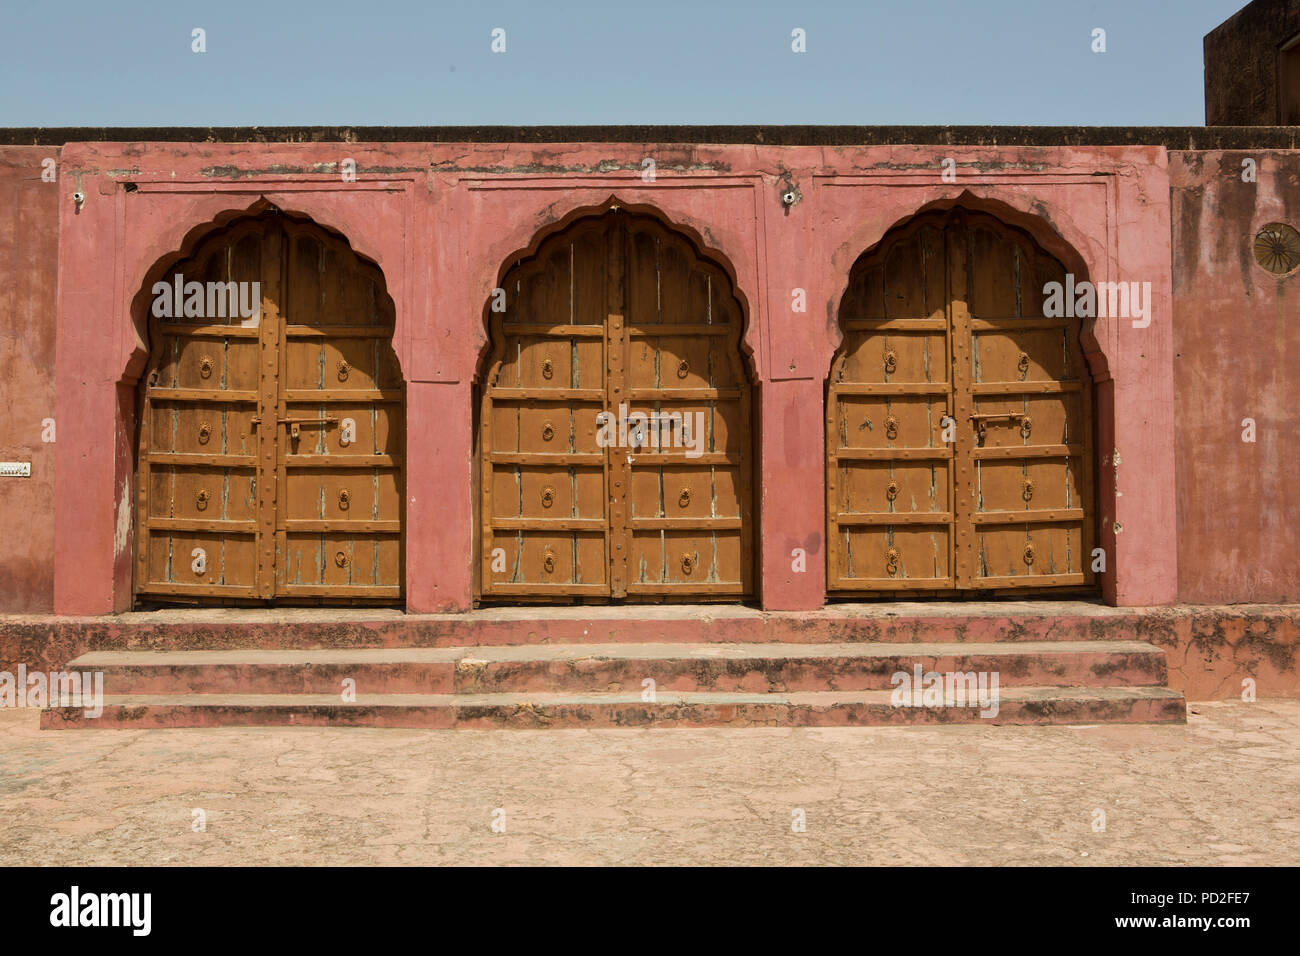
[960,421]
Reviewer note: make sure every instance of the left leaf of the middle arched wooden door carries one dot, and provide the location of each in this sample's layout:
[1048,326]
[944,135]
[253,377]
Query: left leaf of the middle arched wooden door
[544,504]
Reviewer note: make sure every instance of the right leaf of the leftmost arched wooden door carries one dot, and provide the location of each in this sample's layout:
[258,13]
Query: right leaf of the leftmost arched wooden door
[340,526]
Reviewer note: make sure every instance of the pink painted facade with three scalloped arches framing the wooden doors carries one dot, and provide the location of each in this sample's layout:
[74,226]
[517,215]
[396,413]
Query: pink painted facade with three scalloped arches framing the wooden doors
[444,220]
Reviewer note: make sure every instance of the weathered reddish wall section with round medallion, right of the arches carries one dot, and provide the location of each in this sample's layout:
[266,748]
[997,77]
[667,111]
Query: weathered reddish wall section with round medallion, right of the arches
[1237,339]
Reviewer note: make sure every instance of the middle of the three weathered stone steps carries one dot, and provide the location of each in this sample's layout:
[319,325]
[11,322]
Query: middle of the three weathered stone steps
[614,668]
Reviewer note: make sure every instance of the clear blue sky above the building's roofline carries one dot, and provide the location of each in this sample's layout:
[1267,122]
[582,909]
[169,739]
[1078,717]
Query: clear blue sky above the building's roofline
[616,62]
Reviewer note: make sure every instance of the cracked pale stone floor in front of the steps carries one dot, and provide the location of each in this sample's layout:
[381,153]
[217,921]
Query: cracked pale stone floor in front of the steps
[1223,790]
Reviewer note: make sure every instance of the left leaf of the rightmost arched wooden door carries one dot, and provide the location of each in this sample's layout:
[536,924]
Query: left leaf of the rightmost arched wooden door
[890,471]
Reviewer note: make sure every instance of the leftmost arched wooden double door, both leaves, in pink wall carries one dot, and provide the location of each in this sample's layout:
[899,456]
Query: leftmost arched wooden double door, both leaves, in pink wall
[272,425]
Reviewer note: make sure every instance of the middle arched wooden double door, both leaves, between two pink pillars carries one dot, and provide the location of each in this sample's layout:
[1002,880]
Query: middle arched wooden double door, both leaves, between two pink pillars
[616,440]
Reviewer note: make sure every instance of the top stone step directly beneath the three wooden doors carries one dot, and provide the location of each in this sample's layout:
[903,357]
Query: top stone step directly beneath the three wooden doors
[840,624]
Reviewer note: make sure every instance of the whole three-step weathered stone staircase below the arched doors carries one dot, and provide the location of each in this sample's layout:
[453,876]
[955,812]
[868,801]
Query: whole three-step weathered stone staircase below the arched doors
[635,668]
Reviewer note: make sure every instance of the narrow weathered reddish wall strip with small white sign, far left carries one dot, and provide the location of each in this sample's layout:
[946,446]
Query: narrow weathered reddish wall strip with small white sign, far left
[29,272]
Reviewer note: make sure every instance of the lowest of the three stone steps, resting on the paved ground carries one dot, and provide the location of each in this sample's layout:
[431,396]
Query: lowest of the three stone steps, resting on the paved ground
[1045,706]
